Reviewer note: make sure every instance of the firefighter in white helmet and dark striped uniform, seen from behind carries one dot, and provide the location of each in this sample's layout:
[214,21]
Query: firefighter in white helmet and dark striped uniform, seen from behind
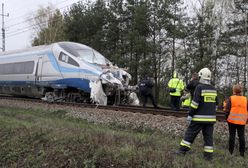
[202,116]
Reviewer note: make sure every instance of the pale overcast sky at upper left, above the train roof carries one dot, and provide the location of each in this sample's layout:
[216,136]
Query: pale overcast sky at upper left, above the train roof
[18,31]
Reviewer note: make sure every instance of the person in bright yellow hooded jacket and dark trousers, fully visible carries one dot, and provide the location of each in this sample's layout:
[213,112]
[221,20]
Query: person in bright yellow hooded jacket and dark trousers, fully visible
[176,87]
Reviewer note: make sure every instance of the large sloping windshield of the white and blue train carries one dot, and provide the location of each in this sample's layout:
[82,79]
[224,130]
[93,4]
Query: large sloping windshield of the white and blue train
[85,53]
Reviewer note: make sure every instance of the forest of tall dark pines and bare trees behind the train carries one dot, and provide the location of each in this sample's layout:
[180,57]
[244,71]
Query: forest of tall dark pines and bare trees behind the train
[156,37]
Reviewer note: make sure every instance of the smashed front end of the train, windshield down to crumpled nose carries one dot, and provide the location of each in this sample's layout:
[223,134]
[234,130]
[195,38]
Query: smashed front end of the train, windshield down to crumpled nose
[108,84]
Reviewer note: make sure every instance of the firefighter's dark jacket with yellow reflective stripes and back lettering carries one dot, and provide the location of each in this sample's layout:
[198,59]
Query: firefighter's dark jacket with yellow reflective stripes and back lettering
[203,106]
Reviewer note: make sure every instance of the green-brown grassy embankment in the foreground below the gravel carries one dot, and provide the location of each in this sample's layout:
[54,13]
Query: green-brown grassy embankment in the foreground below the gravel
[51,139]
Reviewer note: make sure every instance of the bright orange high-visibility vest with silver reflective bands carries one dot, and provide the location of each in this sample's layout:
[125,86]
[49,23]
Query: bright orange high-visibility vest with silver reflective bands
[238,113]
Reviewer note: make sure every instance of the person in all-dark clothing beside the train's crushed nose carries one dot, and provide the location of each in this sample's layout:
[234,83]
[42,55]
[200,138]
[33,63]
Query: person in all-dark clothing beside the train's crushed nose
[145,87]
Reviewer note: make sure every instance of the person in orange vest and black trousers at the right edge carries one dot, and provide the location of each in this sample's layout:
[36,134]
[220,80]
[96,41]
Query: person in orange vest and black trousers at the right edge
[236,114]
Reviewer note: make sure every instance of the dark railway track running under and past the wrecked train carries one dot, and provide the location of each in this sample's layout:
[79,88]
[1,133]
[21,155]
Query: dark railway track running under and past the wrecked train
[134,109]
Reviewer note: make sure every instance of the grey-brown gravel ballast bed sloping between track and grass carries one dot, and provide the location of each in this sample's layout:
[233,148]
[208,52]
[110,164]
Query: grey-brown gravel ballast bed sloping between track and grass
[168,124]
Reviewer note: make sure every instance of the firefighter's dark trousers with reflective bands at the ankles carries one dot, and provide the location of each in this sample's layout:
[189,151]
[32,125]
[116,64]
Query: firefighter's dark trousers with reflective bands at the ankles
[191,133]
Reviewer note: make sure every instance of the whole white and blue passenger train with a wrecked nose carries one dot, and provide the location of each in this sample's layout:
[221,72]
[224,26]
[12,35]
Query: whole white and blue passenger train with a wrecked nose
[65,72]
